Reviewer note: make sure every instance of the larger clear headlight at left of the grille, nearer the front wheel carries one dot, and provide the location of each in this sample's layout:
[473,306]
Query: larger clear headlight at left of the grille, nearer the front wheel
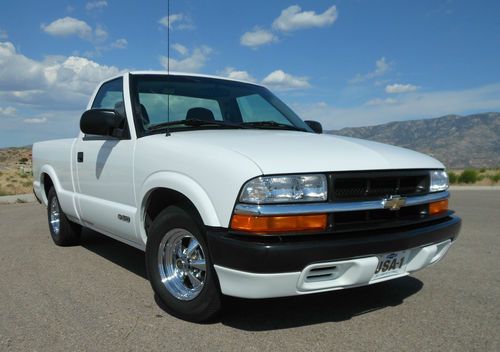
[284,189]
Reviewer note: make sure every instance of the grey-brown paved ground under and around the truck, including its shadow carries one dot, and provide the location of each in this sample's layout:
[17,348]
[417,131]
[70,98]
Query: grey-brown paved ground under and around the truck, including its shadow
[96,298]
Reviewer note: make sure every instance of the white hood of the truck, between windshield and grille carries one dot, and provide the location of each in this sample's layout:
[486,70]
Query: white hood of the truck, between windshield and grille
[279,151]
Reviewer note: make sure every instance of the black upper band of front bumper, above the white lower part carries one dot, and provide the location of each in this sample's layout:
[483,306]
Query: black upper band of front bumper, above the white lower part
[263,256]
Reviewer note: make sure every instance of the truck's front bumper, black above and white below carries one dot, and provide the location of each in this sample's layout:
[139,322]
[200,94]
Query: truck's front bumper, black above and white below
[253,267]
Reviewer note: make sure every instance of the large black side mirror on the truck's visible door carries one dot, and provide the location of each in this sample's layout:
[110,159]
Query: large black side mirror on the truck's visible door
[102,122]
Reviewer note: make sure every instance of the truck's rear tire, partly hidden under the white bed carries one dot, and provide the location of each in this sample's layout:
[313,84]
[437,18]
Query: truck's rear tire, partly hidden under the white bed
[68,233]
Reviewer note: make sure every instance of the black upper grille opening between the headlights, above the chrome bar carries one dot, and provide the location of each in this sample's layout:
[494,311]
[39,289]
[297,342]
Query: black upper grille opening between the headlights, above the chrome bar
[353,186]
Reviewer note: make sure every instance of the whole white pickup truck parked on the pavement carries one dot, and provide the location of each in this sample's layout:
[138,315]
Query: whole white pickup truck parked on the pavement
[229,192]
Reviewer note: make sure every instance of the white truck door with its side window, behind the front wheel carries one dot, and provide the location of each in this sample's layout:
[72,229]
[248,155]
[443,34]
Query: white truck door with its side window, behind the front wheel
[105,173]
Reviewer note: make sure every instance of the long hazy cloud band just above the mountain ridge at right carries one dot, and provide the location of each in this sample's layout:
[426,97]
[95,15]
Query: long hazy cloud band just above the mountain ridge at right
[410,106]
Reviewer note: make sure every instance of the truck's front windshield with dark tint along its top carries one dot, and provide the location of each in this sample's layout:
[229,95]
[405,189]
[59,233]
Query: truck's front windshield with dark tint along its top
[180,103]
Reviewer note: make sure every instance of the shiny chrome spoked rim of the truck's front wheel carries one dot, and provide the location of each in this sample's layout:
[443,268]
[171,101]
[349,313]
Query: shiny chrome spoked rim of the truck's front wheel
[182,264]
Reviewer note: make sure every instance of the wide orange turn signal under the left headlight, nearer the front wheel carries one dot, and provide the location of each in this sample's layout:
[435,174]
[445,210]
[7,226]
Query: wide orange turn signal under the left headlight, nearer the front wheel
[277,224]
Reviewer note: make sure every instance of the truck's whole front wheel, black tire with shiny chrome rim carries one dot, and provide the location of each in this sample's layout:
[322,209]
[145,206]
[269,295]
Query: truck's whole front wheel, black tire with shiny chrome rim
[179,266]
